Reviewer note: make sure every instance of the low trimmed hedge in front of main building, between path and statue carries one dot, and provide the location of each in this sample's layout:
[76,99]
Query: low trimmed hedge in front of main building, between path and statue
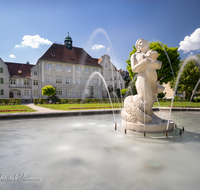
[77,100]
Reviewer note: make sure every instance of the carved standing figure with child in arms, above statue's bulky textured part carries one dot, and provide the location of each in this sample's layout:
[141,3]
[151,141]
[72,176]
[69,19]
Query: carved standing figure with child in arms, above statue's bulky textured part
[144,62]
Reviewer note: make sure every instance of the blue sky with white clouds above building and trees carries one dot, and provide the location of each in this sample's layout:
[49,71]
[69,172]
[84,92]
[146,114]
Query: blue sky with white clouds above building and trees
[28,28]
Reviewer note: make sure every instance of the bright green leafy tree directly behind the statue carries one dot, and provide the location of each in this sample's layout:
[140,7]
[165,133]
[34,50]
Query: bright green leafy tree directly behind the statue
[165,73]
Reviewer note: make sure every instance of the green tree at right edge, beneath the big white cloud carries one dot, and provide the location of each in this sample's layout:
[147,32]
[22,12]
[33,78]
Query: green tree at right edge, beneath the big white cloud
[188,78]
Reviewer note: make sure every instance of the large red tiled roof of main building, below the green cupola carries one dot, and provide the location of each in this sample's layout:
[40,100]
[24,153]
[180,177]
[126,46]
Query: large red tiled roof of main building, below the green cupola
[60,53]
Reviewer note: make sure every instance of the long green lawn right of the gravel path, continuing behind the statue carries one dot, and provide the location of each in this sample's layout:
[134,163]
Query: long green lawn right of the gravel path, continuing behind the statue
[70,107]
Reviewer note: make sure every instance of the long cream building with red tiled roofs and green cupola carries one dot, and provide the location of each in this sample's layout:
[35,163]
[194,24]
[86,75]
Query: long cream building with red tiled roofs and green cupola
[65,67]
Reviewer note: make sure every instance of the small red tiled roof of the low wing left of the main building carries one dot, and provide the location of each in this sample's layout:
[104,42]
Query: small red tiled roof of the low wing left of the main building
[19,69]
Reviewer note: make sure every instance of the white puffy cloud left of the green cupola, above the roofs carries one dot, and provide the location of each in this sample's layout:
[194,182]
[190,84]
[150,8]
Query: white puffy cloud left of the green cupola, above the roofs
[33,41]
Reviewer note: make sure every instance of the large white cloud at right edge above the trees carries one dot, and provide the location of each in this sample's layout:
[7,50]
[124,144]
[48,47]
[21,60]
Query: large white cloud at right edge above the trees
[191,43]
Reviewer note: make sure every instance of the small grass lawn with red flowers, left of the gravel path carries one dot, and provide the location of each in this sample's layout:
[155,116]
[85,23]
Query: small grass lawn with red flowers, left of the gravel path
[15,107]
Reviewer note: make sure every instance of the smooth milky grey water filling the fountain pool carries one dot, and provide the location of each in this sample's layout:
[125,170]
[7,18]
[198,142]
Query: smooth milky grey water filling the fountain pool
[85,153]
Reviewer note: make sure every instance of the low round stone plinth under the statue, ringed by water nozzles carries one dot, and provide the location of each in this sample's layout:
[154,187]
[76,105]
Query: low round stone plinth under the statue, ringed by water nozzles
[157,125]
